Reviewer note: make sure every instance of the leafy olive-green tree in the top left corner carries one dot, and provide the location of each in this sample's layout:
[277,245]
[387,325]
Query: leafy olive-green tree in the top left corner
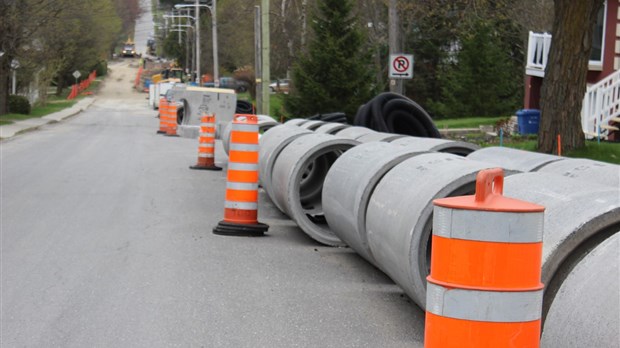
[54,38]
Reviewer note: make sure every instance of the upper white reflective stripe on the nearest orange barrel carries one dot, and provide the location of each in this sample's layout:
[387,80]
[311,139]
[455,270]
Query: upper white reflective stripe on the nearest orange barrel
[488,226]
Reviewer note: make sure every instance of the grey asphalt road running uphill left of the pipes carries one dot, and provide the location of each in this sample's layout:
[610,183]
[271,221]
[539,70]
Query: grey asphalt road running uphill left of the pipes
[106,242]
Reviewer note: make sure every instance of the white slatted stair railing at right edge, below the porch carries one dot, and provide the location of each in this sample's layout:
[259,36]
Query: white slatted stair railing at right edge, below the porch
[601,104]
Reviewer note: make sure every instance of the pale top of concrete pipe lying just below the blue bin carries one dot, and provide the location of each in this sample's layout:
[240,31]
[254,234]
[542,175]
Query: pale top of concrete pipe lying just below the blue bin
[513,159]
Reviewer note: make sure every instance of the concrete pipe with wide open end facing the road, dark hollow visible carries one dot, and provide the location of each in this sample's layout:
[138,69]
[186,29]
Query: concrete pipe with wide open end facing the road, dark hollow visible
[297,181]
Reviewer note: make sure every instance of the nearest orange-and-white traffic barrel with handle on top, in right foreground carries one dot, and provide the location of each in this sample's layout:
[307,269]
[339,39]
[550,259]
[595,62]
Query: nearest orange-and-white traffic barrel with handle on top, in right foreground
[484,287]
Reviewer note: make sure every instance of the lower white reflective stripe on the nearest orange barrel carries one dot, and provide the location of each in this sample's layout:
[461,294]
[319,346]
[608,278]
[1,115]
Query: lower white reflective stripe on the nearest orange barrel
[490,306]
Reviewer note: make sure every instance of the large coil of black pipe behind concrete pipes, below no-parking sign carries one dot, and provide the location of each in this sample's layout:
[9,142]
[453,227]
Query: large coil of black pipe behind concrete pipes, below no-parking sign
[394,113]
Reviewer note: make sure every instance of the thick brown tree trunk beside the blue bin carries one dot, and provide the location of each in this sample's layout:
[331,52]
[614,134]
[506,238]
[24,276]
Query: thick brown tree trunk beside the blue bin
[565,77]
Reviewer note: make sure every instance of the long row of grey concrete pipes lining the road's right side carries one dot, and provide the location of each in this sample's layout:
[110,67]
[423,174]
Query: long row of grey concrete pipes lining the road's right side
[376,196]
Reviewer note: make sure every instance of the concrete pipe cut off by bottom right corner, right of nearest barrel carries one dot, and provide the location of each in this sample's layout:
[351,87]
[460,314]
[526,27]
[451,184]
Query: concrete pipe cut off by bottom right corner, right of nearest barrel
[585,311]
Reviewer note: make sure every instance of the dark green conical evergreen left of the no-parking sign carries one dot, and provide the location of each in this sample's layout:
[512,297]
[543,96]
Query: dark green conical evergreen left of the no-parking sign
[335,73]
